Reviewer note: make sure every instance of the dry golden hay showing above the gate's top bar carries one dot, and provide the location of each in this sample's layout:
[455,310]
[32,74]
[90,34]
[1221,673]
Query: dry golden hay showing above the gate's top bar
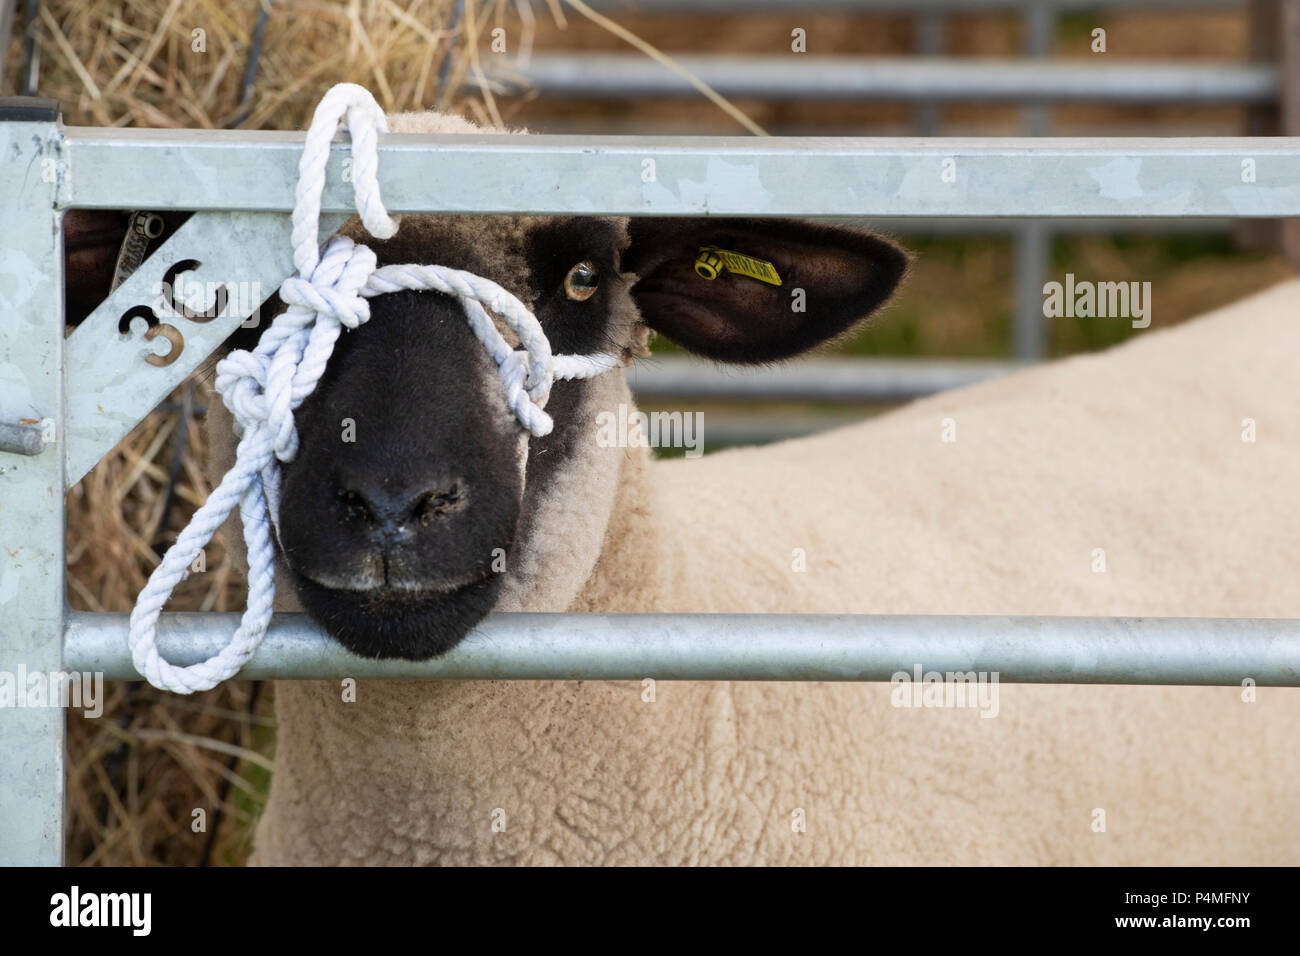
[183,63]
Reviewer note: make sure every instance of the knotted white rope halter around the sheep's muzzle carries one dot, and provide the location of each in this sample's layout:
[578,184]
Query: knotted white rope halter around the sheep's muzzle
[263,388]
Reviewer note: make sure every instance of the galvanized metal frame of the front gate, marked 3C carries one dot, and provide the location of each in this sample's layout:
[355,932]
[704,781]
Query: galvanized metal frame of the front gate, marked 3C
[64,404]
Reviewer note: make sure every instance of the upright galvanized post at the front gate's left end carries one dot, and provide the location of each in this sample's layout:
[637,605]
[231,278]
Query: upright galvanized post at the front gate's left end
[32,486]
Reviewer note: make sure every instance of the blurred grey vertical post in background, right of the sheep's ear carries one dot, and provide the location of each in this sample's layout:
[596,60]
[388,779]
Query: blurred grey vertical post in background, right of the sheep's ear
[1033,237]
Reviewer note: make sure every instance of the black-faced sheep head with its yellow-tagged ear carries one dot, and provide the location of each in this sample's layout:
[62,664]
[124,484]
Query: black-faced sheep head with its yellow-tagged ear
[417,503]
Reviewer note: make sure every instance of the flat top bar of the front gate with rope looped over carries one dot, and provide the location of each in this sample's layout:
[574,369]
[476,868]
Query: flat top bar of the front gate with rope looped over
[700,176]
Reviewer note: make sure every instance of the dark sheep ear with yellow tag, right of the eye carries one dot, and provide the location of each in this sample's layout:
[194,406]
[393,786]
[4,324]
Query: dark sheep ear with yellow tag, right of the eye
[753,291]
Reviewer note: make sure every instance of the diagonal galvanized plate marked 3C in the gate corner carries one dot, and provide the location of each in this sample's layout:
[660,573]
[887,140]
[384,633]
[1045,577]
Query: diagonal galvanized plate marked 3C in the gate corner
[111,382]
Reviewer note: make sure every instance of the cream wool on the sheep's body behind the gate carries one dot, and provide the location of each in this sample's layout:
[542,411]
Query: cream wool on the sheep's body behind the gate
[1137,451]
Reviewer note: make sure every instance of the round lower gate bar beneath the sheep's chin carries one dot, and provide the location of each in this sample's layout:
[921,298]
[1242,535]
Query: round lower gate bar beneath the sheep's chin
[751,647]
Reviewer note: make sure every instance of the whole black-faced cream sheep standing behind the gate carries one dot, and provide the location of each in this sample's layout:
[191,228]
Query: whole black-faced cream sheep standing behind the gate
[388,543]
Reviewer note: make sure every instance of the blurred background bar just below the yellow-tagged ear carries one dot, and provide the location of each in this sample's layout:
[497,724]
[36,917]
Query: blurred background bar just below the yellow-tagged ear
[818,380]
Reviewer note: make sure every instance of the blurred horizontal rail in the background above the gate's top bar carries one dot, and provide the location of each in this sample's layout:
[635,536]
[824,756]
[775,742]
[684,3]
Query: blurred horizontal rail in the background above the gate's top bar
[911,79]
